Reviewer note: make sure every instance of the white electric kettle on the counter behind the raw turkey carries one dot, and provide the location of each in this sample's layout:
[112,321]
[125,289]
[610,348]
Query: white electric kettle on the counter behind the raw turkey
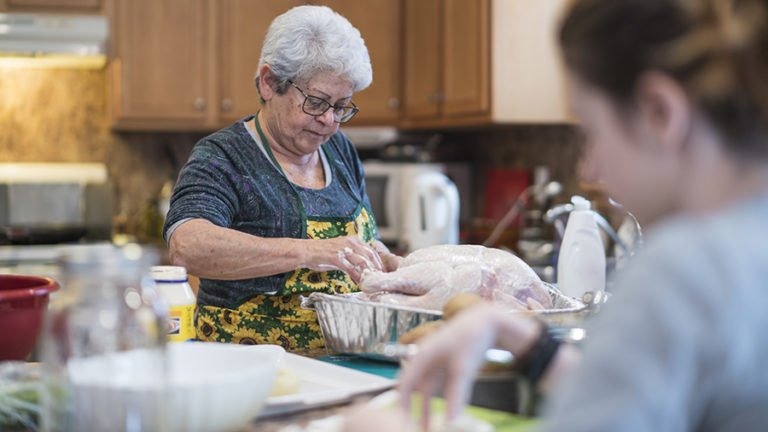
[430,211]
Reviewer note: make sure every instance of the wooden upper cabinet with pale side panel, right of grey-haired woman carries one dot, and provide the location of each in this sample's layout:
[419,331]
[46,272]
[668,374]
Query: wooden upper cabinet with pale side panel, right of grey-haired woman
[480,62]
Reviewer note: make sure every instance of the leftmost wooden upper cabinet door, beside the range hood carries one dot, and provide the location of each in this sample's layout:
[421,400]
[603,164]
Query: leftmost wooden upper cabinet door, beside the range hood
[162,63]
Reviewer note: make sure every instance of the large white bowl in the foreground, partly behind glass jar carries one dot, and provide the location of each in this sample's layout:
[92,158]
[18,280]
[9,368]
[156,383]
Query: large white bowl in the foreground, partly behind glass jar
[207,387]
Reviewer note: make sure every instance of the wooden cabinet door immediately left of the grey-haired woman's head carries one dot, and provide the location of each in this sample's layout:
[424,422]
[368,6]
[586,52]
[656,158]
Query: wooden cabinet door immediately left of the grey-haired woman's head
[242,27]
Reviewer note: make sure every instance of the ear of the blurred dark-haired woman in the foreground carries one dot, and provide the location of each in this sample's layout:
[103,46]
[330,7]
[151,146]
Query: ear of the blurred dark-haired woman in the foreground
[665,109]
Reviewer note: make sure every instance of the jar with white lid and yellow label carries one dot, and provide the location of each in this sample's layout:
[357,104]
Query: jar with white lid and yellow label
[173,287]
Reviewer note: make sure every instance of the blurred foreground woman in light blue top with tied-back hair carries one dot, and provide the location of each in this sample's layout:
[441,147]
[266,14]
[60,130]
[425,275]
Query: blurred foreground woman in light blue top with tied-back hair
[674,99]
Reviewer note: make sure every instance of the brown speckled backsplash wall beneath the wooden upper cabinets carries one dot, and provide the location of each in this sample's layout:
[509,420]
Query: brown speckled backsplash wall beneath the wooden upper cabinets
[61,116]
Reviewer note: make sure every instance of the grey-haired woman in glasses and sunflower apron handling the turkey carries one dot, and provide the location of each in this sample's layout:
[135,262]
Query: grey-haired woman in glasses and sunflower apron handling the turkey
[275,206]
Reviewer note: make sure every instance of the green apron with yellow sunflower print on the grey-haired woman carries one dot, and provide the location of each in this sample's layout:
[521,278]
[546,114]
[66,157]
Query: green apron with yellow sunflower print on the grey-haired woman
[278,318]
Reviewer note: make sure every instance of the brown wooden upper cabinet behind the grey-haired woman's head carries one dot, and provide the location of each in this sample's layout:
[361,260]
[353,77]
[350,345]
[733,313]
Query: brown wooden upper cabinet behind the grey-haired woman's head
[193,68]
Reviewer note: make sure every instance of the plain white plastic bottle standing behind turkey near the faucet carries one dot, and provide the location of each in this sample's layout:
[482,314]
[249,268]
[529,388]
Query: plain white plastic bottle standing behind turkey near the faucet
[581,263]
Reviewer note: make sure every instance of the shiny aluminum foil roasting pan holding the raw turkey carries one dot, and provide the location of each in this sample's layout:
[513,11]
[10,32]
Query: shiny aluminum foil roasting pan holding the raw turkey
[351,325]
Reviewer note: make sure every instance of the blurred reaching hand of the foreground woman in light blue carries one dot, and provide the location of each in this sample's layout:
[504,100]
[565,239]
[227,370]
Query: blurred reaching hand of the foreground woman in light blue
[453,355]
